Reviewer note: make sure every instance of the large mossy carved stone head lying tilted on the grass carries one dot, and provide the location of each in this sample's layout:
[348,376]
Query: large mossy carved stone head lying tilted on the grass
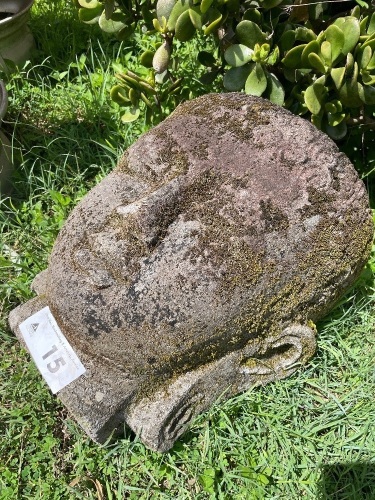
[199,265]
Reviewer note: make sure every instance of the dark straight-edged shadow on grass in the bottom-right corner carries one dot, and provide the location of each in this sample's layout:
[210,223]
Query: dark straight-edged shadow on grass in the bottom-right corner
[350,481]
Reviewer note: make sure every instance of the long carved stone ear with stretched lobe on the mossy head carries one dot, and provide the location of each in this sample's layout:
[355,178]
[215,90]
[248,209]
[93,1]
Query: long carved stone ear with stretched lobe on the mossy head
[163,417]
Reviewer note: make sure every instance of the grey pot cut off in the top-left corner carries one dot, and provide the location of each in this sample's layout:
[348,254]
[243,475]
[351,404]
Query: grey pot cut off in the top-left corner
[16,40]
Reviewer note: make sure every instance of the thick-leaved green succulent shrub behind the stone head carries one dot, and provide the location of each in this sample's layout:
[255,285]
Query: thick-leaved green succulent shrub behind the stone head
[318,63]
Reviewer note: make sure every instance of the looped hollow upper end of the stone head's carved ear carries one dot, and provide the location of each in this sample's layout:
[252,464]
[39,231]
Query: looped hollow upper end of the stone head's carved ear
[282,355]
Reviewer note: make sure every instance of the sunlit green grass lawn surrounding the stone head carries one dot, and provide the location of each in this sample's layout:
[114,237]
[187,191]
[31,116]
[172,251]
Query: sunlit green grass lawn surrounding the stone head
[310,436]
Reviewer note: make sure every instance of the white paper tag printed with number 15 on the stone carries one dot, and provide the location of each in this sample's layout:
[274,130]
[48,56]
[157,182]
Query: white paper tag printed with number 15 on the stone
[52,353]
